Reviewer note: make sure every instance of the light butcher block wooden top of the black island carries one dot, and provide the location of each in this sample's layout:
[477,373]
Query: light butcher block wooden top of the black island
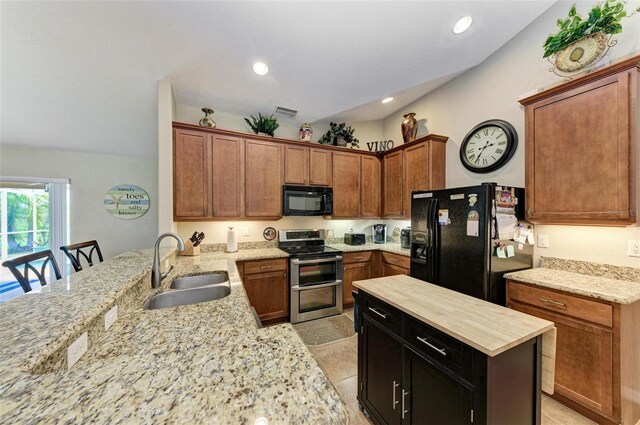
[489,328]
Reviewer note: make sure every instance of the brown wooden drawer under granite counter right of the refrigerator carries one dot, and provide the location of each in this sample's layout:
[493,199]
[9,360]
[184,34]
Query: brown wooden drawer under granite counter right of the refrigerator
[590,310]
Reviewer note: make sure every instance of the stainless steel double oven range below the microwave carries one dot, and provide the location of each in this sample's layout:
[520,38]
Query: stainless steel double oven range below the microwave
[315,274]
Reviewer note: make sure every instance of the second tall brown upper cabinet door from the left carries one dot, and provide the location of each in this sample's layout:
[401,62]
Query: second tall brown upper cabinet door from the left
[228,176]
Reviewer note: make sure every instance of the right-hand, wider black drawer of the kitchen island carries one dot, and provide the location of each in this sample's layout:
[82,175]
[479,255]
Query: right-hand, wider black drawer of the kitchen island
[445,350]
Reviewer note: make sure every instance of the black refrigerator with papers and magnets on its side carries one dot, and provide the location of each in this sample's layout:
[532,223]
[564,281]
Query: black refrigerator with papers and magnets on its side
[461,238]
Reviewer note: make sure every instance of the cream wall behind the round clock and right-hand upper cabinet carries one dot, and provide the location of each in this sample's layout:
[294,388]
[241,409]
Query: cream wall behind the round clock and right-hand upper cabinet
[491,90]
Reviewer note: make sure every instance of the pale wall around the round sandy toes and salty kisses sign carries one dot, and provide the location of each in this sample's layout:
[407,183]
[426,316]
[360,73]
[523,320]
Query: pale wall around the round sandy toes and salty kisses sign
[91,176]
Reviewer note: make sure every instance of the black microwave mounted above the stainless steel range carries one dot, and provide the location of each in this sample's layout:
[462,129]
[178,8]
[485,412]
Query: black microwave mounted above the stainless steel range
[307,200]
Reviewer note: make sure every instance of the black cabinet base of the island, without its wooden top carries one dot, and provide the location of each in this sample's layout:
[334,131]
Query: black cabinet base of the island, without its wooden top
[411,373]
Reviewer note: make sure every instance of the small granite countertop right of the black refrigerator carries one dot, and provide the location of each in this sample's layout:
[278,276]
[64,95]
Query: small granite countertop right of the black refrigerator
[604,288]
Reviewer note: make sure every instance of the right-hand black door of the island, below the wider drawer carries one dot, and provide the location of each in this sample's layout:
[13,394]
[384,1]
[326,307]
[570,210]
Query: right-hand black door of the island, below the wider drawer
[430,396]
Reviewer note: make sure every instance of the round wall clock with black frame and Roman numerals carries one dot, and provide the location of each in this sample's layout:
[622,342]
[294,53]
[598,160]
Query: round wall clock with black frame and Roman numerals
[488,146]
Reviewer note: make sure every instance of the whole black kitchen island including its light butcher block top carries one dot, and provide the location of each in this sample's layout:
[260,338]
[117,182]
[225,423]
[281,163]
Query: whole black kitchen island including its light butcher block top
[430,355]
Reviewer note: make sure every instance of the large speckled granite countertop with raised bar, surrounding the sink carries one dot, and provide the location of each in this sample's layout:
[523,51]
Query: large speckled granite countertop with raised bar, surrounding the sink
[191,364]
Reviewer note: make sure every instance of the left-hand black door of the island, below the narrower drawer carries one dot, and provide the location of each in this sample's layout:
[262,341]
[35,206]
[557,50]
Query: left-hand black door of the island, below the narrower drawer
[382,373]
